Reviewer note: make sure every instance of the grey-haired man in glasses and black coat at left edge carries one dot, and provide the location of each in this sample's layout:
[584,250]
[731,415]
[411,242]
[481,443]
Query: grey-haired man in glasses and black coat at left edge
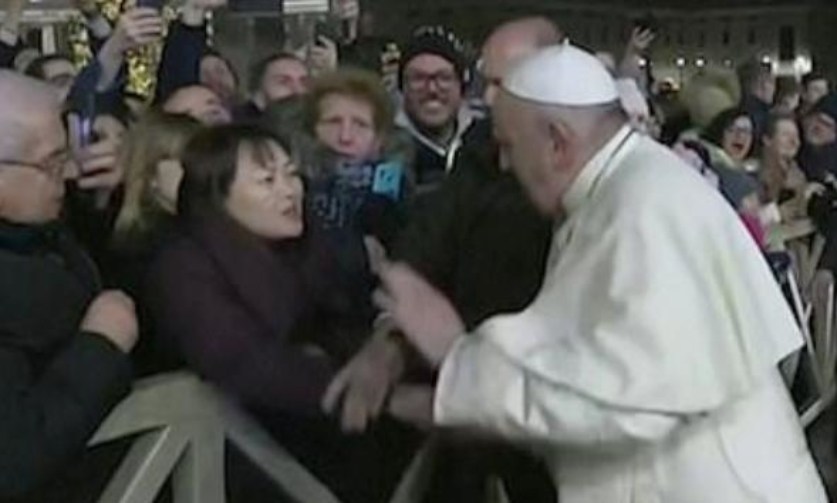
[63,342]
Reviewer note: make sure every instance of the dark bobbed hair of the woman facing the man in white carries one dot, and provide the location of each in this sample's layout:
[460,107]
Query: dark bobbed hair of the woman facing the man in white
[210,162]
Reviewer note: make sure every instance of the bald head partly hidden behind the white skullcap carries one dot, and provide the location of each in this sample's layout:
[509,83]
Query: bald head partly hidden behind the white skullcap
[509,43]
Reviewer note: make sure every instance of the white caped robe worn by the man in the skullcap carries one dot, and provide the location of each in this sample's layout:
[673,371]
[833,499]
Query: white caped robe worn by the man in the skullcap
[646,369]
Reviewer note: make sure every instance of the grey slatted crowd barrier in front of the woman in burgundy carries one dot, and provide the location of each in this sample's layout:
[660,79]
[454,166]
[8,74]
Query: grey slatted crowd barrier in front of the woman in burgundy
[183,426]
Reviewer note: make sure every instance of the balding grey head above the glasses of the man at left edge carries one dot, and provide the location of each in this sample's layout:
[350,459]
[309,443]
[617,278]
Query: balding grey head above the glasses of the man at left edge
[31,115]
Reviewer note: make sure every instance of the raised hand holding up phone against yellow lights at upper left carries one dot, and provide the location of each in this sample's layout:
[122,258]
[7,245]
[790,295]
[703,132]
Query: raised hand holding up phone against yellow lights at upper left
[137,27]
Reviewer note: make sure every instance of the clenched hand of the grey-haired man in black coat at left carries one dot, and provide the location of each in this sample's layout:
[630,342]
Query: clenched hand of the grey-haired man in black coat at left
[112,315]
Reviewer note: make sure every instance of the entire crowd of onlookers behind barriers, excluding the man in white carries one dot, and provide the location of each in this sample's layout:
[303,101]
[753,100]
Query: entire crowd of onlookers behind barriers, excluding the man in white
[239,230]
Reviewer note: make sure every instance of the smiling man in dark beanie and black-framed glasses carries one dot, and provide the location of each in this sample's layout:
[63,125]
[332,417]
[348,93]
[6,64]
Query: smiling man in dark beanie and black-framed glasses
[433,77]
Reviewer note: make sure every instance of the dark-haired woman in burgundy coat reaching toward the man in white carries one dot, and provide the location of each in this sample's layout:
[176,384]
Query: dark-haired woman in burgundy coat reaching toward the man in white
[262,308]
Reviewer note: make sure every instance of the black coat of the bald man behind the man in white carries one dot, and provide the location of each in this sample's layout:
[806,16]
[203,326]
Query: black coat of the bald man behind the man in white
[478,238]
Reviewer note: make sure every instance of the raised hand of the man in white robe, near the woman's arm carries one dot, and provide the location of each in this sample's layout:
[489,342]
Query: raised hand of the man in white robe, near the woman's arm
[423,314]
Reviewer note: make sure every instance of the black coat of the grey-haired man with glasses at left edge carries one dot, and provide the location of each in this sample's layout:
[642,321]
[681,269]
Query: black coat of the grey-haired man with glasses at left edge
[56,384]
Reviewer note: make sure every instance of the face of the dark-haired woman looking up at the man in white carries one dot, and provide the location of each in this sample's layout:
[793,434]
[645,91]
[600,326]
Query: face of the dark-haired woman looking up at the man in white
[266,194]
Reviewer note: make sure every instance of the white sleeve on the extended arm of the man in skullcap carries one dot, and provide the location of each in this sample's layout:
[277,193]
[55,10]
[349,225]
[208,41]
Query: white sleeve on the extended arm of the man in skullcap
[480,388]
